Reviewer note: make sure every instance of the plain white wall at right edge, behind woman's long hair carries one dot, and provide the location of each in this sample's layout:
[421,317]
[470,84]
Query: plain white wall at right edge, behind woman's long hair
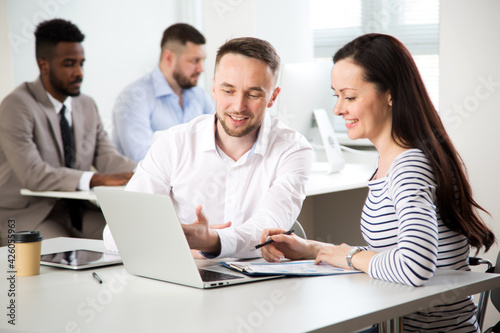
[470,99]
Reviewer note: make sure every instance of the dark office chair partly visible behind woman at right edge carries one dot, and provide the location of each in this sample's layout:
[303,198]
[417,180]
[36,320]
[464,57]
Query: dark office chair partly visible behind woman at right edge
[483,298]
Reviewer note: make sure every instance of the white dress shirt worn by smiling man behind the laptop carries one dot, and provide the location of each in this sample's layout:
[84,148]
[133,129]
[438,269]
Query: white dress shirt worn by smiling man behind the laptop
[263,189]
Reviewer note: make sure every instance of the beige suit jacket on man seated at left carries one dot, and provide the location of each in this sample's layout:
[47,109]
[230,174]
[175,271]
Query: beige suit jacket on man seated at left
[32,157]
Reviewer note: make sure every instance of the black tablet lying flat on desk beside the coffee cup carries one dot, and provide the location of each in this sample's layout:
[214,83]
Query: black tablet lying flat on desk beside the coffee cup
[80,259]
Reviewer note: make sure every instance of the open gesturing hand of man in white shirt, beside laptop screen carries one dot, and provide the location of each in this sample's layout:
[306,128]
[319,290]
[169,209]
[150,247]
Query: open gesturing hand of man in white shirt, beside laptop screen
[201,236]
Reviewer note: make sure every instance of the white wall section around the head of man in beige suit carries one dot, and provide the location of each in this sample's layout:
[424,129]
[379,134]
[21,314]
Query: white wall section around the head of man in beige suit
[121,43]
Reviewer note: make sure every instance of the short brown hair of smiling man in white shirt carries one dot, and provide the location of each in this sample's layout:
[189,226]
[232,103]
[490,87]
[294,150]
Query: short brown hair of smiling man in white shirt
[253,48]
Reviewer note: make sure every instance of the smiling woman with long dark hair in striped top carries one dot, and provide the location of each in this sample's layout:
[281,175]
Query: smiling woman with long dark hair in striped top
[419,215]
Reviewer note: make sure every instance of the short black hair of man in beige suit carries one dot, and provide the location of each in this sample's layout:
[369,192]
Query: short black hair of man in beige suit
[49,33]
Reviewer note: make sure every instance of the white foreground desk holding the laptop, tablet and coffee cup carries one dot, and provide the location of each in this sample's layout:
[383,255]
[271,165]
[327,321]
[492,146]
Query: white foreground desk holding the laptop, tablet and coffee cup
[67,301]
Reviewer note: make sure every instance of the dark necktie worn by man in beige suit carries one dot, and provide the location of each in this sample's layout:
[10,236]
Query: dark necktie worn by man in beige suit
[69,162]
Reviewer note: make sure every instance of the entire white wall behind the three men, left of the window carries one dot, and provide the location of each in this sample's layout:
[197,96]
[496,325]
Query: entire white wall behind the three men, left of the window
[122,37]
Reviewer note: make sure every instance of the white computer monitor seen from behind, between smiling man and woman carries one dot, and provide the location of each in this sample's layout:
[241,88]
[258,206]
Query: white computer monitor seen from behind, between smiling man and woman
[306,104]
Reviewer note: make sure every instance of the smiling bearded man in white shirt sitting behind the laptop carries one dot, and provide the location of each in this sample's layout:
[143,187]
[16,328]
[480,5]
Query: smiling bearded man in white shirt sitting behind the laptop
[237,172]
